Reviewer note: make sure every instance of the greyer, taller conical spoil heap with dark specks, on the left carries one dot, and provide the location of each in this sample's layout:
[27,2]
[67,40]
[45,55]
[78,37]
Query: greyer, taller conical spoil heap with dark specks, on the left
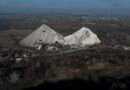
[43,34]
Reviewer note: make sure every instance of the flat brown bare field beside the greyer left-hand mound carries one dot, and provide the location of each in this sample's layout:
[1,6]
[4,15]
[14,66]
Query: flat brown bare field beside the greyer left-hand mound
[9,37]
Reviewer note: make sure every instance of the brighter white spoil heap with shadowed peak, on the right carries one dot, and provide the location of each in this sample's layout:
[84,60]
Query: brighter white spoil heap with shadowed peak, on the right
[83,37]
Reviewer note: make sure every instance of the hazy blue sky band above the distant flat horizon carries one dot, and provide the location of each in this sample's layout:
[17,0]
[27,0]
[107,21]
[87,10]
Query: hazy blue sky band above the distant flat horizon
[41,5]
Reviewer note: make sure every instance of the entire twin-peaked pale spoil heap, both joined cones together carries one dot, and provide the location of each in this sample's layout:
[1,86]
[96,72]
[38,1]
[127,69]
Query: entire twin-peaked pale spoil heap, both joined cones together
[44,35]
